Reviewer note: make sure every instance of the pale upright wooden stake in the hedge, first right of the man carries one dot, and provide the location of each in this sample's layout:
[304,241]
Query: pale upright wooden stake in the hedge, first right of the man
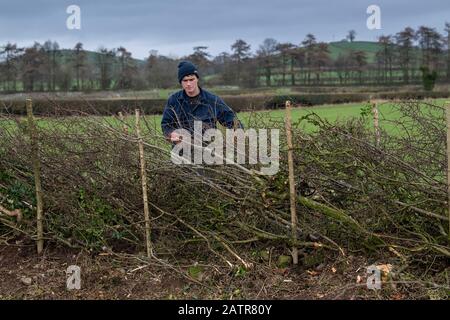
[293,197]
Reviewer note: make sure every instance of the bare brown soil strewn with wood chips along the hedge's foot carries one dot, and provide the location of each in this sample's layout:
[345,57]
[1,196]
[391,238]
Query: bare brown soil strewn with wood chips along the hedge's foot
[107,276]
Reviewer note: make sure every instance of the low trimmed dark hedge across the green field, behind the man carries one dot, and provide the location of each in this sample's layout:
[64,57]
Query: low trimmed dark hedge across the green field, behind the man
[237,103]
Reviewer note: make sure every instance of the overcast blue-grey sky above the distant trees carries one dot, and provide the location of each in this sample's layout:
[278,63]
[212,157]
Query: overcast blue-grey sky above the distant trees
[173,27]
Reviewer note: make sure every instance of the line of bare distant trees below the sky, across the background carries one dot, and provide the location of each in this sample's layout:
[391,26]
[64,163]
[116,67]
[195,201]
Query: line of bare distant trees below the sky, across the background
[407,57]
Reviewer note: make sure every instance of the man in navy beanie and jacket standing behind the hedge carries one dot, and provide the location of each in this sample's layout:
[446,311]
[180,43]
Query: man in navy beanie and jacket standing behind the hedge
[194,104]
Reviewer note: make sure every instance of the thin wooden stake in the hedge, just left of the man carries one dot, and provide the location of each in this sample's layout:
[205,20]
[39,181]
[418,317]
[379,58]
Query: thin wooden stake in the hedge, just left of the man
[144,185]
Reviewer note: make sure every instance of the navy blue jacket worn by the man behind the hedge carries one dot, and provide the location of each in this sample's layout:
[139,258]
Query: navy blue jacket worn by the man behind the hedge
[180,114]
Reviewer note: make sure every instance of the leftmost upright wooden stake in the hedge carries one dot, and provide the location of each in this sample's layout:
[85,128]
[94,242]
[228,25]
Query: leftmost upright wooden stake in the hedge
[37,175]
